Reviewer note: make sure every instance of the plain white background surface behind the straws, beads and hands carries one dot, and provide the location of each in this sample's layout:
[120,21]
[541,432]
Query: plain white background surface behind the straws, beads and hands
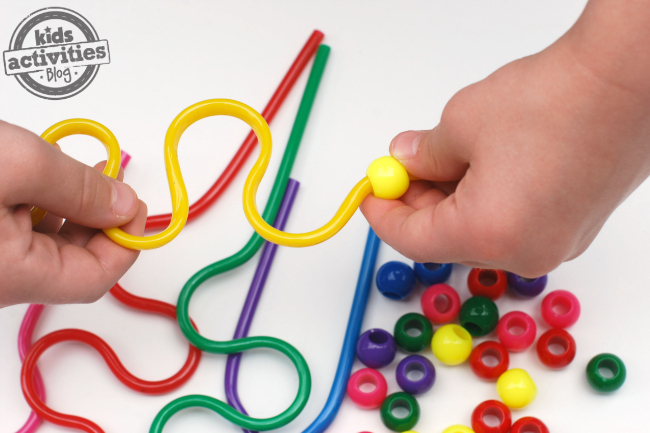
[393,66]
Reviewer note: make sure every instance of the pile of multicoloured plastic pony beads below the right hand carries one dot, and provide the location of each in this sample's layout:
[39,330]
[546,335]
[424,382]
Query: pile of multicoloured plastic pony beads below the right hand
[452,344]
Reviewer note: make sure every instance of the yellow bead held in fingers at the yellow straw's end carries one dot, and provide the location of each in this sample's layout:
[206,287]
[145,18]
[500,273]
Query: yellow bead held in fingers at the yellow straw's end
[388,178]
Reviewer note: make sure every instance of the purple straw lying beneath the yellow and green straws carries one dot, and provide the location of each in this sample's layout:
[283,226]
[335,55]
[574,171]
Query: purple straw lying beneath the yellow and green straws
[253,297]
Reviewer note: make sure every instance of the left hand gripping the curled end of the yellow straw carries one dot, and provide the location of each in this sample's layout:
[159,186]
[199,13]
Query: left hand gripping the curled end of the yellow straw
[53,263]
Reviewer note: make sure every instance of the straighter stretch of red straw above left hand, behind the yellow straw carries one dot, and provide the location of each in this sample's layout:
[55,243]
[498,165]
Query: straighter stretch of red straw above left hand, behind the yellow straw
[247,147]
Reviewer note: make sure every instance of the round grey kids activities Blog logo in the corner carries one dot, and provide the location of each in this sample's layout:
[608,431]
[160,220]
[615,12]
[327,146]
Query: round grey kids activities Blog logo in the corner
[55,53]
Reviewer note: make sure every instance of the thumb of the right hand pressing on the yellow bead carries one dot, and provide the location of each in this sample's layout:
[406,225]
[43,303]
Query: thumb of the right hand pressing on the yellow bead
[429,155]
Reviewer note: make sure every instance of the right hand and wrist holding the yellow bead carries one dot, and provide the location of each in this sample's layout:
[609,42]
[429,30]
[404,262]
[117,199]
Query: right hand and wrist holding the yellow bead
[526,166]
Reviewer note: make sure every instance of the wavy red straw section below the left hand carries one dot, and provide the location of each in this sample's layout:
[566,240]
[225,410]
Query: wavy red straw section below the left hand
[148,387]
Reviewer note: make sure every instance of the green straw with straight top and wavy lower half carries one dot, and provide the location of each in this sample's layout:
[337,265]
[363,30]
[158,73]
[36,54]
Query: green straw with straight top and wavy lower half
[232,262]
